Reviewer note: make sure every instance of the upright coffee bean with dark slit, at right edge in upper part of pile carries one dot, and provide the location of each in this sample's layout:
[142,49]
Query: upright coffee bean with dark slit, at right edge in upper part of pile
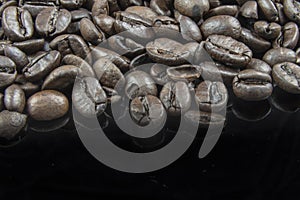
[289,37]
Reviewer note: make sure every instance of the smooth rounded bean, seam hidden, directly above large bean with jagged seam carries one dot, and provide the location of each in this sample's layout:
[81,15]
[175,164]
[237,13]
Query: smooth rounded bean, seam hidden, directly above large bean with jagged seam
[221,25]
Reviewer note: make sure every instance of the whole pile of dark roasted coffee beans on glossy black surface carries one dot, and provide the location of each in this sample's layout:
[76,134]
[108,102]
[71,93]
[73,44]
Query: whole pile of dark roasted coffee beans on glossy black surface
[55,54]
